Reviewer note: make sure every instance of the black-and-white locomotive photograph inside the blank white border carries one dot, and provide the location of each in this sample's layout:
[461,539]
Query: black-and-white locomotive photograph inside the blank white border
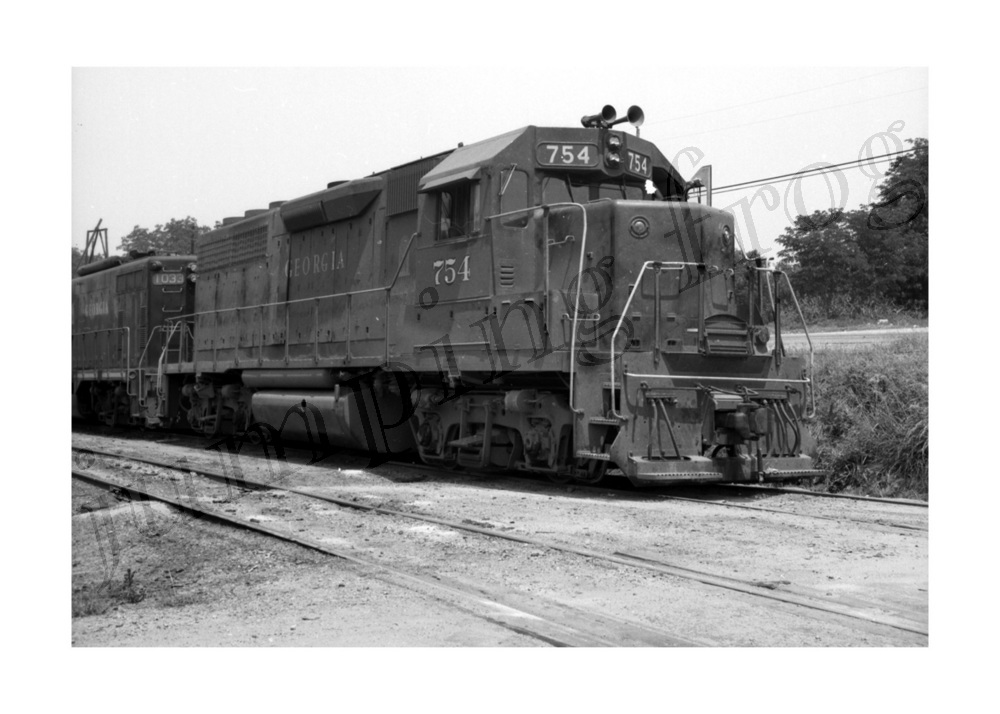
[500,377]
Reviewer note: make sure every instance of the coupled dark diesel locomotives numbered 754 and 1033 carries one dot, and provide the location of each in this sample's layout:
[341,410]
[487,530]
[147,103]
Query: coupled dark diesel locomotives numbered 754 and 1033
[551,300]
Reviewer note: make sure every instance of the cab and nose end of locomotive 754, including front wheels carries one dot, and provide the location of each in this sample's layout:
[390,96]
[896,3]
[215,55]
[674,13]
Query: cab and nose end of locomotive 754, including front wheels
[614,304]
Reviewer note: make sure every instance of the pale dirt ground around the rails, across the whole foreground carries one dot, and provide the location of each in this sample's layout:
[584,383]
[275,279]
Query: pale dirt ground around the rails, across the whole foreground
[148,575]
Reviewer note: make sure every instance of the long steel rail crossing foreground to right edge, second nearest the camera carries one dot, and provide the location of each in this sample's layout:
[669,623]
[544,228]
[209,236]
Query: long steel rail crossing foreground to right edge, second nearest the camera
[659,566]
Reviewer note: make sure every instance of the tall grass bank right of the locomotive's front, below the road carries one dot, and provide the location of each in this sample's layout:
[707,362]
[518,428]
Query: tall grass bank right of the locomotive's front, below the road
[872,419]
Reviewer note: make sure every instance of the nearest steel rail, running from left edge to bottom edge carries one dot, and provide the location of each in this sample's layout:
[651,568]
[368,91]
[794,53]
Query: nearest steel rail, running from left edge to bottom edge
[531,624]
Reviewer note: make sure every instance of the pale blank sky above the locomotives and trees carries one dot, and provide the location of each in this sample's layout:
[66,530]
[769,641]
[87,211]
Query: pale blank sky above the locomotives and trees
[149,145]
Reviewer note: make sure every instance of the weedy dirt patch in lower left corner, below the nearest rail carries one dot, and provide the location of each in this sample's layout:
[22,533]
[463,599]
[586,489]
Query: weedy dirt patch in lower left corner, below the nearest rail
[199,583]
